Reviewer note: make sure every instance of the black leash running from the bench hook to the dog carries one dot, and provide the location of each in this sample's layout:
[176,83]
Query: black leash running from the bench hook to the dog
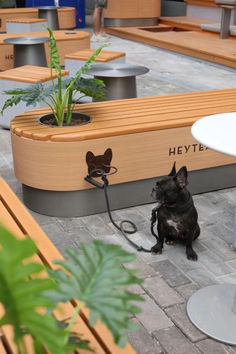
[120,227]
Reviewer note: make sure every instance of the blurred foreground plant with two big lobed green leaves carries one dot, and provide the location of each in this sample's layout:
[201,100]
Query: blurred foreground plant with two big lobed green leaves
[95,277]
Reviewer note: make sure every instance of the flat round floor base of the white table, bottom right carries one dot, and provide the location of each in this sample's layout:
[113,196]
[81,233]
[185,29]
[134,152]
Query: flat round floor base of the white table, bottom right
[213,310]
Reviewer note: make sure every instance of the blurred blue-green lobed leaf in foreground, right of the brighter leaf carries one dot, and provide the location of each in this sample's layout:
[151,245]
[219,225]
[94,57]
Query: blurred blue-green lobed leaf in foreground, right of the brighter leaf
[97,277]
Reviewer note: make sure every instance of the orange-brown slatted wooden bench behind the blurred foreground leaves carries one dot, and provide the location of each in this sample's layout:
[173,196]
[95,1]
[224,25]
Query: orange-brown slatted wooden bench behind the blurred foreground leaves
[16,218]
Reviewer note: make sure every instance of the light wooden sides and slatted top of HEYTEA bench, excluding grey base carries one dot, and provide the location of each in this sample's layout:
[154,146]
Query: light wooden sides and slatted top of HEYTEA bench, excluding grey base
[145,134]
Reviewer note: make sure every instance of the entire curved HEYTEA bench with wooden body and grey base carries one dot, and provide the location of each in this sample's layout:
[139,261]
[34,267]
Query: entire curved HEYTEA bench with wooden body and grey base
[51,162]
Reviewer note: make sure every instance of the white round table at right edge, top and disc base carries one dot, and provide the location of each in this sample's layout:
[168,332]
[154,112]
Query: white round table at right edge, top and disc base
[213,309]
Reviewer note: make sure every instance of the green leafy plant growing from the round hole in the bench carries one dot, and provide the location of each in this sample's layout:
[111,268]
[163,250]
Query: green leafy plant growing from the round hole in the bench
[60,96]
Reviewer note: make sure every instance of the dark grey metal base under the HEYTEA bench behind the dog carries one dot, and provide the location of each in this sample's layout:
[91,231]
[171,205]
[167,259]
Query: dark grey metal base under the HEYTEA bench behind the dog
[124,195]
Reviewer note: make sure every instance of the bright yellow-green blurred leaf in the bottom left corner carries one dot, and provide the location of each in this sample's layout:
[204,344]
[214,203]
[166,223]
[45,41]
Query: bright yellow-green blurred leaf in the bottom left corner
[21,295]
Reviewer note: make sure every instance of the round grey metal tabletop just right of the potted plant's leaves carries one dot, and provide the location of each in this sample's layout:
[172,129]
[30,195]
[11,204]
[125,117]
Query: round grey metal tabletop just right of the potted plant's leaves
[117,70]
